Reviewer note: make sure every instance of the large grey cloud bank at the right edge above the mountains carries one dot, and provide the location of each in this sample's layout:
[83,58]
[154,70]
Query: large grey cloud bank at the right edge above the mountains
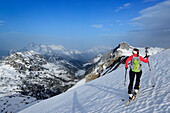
[155,25]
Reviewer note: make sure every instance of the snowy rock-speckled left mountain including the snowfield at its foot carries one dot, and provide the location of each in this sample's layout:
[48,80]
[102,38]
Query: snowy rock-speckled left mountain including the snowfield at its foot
[28,76]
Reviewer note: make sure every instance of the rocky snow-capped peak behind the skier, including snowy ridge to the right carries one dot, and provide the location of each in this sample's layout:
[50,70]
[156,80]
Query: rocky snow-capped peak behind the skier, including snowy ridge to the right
[111,60]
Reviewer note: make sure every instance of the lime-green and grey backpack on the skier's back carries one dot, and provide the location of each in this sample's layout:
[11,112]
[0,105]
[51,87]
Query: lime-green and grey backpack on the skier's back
[135,64]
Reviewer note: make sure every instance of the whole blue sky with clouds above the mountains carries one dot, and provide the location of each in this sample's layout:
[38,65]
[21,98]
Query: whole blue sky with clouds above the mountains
[84,24]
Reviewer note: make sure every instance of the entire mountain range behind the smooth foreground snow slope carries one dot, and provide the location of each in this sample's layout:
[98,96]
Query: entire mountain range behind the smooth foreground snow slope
[39,72]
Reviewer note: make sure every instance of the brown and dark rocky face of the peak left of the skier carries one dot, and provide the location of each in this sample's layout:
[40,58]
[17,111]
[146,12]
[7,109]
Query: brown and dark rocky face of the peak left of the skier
[109,62]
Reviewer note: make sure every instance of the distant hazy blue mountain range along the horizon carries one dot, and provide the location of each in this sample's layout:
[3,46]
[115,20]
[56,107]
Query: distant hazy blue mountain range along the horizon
[69,55]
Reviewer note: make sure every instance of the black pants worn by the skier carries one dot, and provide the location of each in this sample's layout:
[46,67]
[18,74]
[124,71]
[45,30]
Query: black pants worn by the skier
[131,77]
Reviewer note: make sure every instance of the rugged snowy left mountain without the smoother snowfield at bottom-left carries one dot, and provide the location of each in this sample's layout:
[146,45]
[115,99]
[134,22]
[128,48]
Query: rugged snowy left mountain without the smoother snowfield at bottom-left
[32,74]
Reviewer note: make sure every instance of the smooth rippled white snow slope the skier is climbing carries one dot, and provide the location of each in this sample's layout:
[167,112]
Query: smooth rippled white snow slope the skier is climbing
[105,93]
